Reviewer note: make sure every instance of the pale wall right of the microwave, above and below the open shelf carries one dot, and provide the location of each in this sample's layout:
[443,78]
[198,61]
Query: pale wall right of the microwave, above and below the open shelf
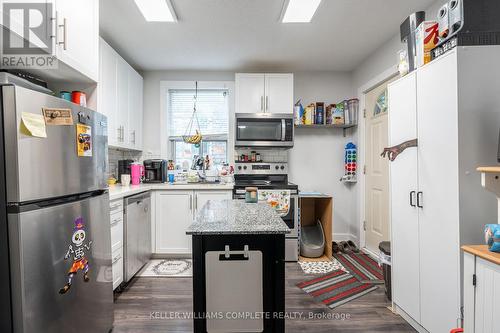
[317,160]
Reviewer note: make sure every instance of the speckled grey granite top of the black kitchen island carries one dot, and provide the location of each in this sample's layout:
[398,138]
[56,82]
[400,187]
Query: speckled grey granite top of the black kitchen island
[234,217]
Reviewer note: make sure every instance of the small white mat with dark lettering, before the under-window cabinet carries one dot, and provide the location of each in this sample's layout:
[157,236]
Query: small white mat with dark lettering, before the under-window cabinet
[167,268]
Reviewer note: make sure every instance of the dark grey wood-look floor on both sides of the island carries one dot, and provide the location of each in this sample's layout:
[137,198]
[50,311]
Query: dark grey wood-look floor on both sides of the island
[134,307]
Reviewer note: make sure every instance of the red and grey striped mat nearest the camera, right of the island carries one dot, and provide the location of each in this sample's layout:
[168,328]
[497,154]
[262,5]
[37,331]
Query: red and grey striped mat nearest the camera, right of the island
[336,288]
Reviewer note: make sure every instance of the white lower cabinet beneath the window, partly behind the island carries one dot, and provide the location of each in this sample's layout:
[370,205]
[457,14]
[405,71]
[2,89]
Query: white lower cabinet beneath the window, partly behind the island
[175,211]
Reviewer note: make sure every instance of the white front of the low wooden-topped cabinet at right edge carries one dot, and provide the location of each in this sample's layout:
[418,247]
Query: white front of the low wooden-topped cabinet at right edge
[482,300]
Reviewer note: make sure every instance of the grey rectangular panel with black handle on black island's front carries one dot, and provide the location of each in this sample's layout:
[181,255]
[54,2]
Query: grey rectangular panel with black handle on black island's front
[234,285]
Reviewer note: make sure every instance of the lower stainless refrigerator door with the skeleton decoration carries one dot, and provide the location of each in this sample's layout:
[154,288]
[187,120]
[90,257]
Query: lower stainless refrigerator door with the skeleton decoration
[47,247]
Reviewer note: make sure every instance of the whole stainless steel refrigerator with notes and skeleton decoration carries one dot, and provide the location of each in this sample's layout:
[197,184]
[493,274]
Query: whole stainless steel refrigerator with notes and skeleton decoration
[55,252]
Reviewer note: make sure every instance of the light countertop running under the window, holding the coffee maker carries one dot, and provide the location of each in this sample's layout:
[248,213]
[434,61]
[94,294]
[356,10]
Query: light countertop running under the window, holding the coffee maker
[117,191]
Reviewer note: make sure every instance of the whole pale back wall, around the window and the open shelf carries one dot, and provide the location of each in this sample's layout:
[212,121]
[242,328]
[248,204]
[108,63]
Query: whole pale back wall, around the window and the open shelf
[316,161]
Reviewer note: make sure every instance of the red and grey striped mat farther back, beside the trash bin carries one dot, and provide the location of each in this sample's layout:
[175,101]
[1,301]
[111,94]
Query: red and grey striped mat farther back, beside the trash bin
[360,265]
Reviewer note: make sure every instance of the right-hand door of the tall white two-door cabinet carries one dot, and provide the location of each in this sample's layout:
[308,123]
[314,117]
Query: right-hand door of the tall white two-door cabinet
[437,120]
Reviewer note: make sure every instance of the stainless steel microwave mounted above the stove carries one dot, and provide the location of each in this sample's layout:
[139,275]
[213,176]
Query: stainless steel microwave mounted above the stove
[265,130]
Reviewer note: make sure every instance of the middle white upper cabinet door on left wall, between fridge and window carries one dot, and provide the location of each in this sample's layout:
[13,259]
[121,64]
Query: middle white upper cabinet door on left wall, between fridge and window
[123,69]
